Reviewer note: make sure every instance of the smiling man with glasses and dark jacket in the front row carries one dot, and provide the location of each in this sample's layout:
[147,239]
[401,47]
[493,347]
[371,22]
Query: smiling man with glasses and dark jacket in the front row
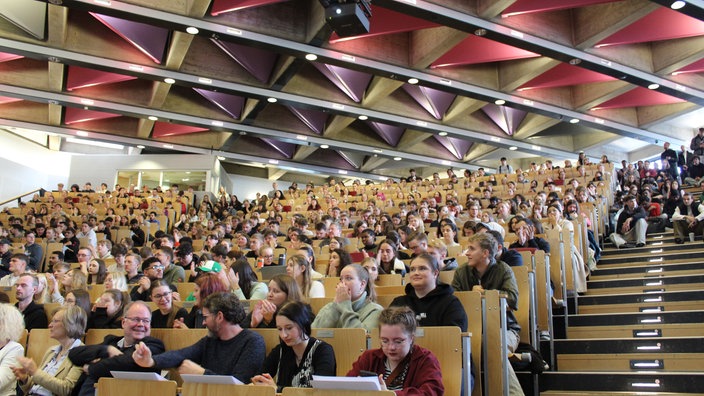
[115,352]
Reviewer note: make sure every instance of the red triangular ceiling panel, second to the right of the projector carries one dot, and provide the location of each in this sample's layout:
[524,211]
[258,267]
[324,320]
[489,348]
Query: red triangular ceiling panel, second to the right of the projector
[475,50]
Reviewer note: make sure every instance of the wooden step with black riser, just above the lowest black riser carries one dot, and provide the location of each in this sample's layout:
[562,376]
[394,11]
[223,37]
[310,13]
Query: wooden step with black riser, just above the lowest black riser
[653,354]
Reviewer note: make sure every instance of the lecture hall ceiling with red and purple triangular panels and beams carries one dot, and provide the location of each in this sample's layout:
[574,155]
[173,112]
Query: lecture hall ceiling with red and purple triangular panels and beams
[570,75]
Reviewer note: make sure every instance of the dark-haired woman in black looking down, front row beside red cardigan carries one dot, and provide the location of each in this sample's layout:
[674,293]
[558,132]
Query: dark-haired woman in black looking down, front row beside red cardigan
[298,356]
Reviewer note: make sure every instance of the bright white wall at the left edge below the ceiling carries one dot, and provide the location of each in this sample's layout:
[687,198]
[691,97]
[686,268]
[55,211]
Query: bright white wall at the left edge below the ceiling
[25,166]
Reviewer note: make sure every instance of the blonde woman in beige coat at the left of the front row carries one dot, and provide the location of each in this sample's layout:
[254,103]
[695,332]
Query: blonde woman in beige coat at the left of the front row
[55,375]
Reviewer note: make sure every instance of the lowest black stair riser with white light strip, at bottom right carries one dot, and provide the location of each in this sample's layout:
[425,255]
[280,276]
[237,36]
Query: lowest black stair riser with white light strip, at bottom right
[614,382]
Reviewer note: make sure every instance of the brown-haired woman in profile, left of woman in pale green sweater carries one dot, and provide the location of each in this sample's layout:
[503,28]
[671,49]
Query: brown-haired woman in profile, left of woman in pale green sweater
[282,289]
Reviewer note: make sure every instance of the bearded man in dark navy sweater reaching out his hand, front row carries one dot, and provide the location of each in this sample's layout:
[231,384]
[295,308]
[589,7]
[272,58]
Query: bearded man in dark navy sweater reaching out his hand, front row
[231,350]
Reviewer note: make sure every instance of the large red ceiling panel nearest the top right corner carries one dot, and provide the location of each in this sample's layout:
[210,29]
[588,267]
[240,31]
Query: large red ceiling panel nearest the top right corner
[661,24]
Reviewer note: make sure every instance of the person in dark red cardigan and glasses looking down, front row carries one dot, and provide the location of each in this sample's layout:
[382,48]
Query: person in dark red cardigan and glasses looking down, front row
[402,365]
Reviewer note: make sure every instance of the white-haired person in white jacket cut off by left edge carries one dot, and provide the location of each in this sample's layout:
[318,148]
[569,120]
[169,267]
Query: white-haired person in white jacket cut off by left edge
[10,350]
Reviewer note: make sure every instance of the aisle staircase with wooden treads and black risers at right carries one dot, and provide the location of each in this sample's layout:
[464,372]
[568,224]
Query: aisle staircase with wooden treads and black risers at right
[640,327]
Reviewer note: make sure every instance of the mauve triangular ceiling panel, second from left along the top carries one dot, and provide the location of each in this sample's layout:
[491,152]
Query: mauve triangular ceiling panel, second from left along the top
[151,40]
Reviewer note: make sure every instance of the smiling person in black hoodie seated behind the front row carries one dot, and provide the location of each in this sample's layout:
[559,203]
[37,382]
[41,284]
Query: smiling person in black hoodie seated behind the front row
[433,302]
